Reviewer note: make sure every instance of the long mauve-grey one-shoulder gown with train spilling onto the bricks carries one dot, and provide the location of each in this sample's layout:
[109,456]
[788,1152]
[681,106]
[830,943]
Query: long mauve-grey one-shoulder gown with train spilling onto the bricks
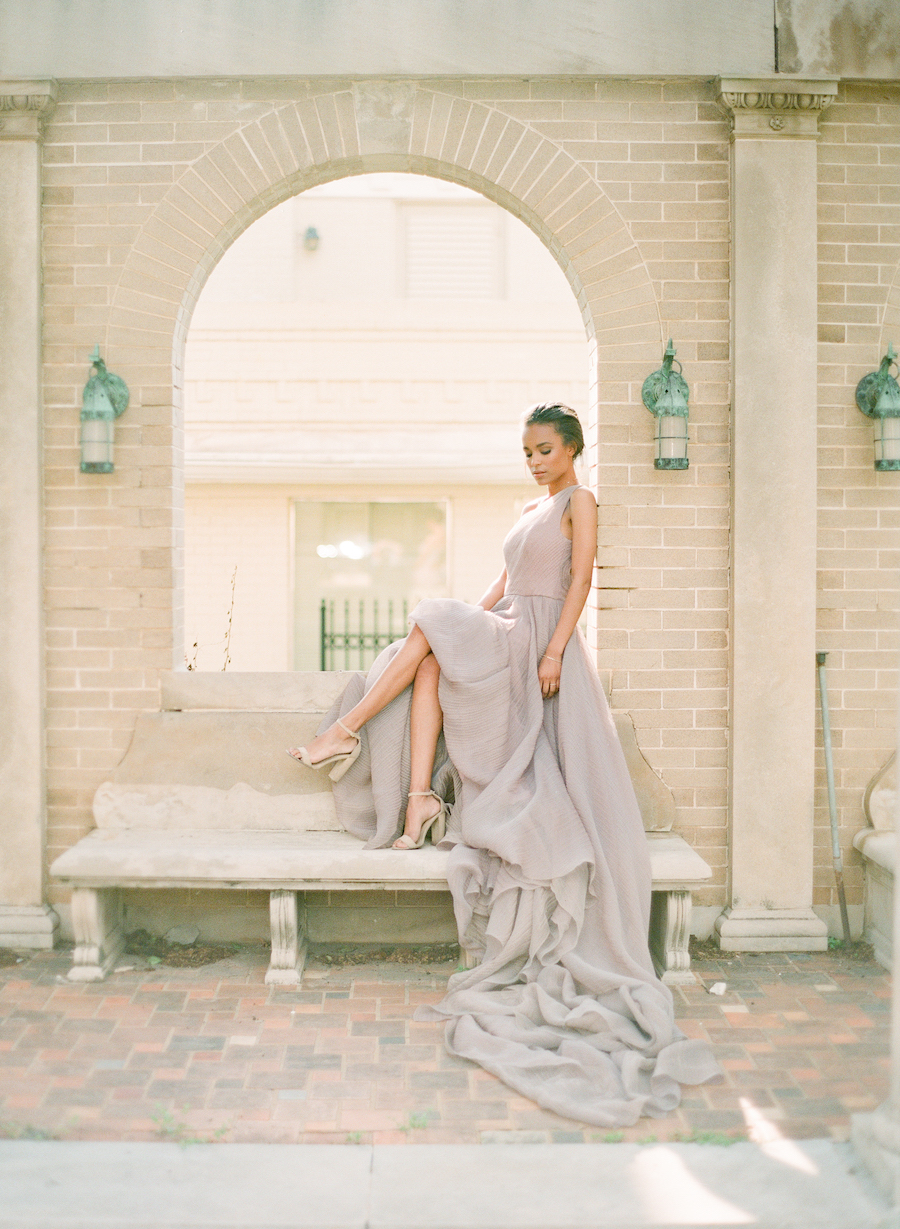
[549,866]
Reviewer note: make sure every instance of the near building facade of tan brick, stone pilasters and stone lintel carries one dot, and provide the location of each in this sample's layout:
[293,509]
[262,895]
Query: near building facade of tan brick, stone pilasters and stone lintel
[732,190]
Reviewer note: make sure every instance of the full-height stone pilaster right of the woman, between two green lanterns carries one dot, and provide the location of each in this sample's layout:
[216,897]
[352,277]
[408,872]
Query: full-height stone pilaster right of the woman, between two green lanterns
[774,514]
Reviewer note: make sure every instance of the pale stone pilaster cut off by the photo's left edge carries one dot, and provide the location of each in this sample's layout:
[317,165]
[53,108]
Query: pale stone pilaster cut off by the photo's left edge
[25,920]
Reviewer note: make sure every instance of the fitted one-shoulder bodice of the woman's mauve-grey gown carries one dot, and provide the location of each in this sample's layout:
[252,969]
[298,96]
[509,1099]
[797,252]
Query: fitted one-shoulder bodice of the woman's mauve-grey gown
[538,554]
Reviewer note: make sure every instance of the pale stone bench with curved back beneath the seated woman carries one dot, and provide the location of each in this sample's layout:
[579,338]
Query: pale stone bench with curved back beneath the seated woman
[206,798]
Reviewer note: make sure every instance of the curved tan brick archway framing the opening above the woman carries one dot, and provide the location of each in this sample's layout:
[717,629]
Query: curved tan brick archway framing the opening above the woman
[376,127]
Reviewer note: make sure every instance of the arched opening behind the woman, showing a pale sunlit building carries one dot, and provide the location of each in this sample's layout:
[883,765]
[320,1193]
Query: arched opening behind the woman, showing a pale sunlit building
[356,371]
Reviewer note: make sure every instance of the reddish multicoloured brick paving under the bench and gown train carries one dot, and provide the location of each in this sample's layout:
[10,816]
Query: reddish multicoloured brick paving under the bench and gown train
[213,1053]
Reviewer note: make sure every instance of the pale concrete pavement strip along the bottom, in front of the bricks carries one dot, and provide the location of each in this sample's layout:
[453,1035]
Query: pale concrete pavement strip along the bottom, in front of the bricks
[85,1185]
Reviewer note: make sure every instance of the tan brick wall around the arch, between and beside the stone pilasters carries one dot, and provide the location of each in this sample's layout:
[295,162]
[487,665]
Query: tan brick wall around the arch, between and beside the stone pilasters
[628,183]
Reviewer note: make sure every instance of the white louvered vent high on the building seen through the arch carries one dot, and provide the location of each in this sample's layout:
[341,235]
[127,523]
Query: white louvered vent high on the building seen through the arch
[453,251]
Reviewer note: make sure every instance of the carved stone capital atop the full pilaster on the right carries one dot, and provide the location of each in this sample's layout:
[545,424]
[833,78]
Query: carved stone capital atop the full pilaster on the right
[773,108]
